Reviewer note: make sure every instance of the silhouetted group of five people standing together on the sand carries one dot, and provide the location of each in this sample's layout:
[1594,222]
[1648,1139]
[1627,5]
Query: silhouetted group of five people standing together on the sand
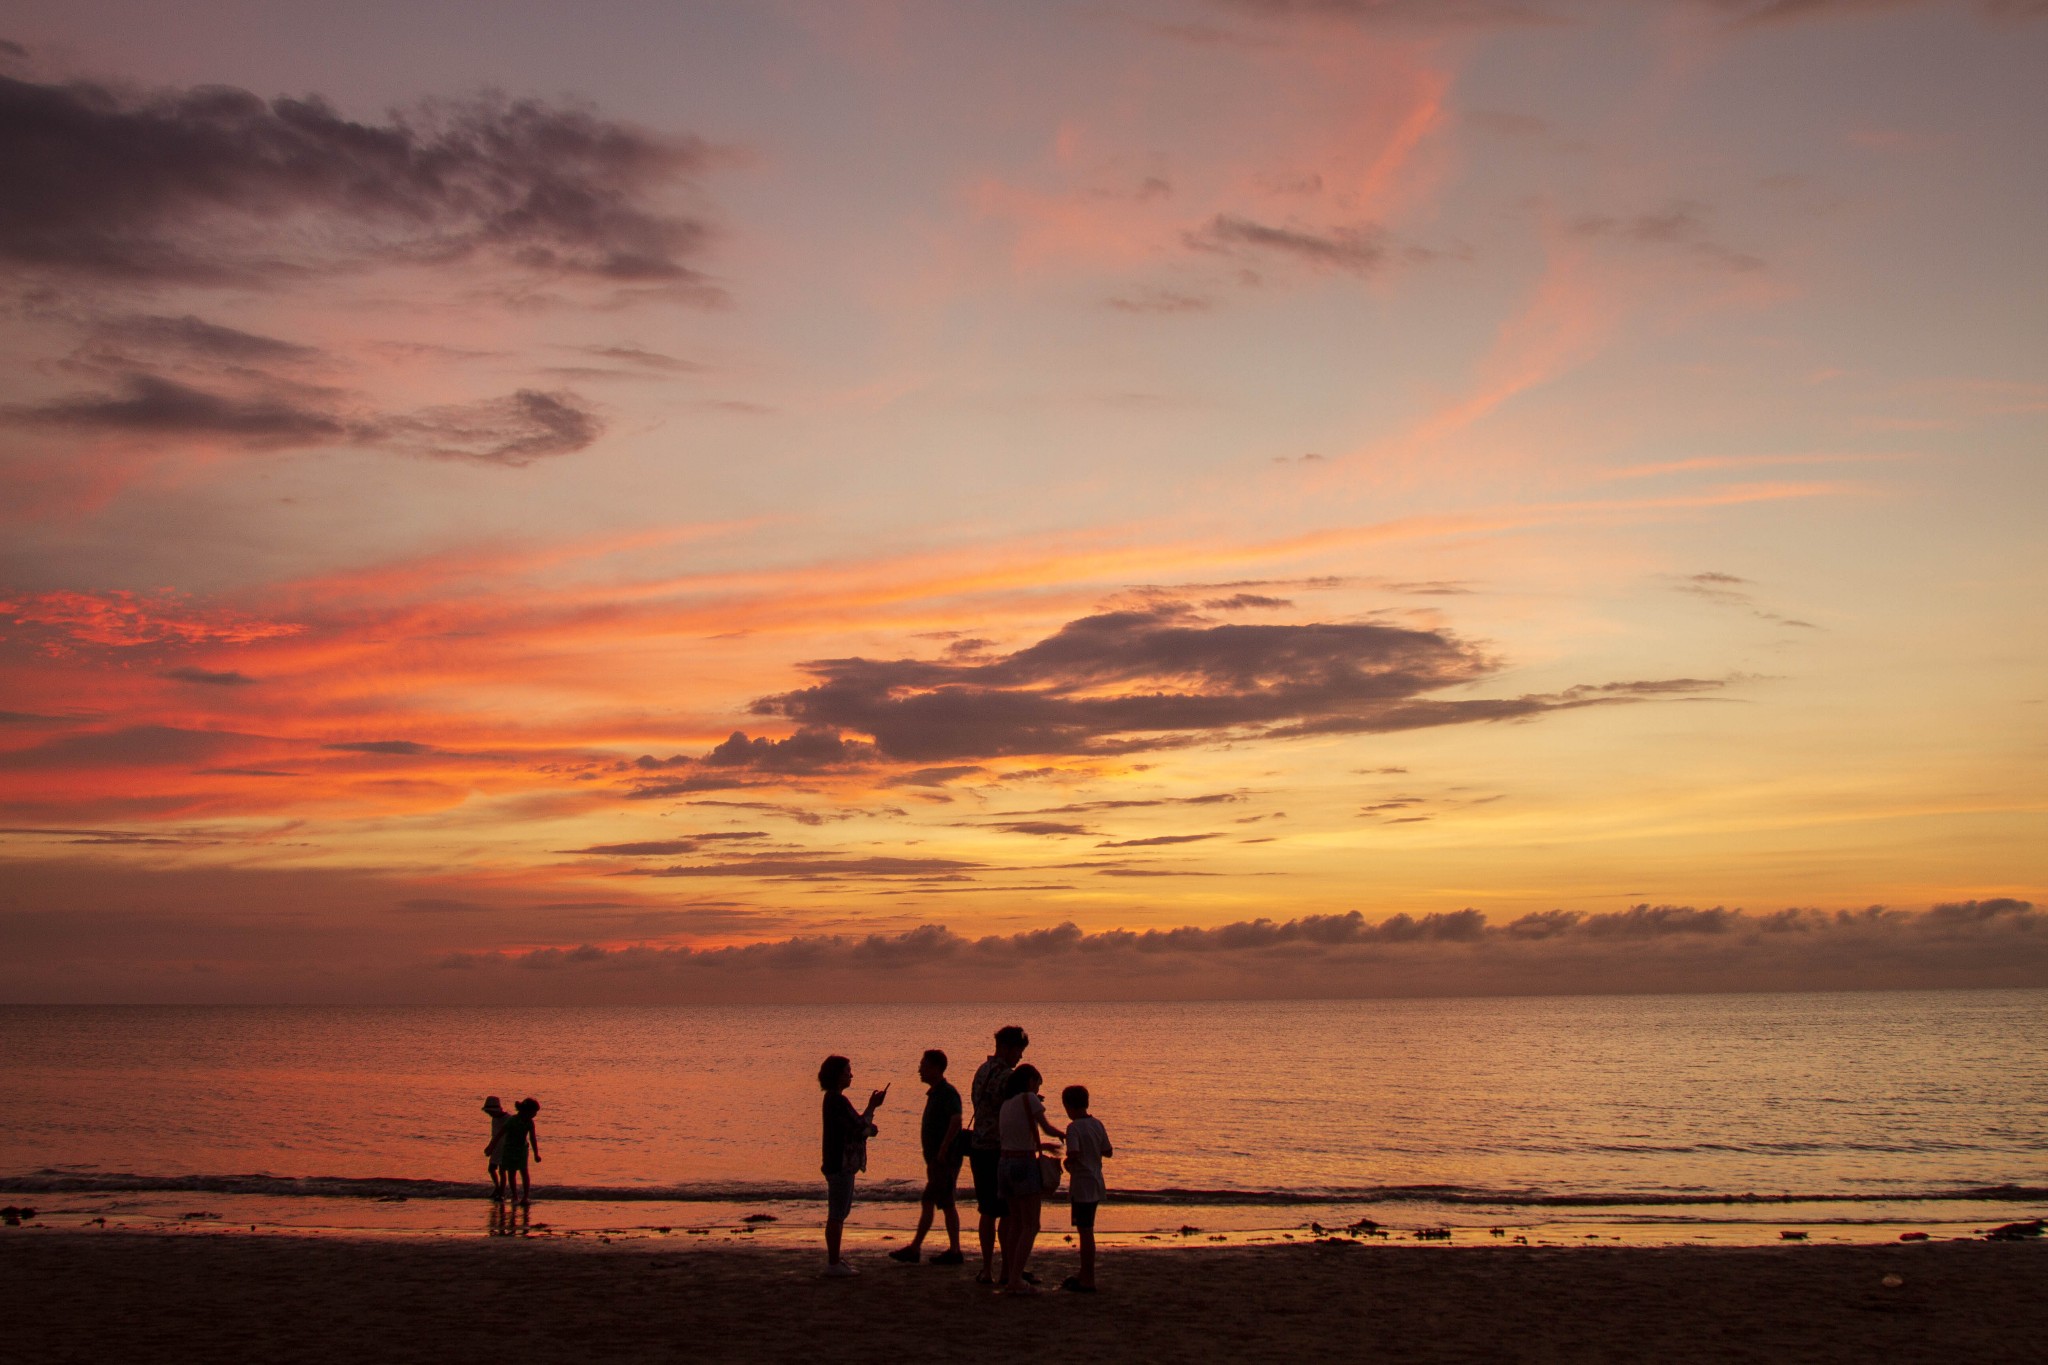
[1007,1147]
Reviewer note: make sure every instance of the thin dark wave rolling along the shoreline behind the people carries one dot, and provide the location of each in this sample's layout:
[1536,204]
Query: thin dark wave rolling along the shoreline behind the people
[906,1192]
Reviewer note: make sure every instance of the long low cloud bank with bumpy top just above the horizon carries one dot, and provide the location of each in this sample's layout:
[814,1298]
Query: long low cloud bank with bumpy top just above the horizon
[1451,953]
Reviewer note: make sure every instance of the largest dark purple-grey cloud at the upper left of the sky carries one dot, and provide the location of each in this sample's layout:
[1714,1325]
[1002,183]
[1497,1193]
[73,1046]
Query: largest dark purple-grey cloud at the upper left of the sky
[220,187]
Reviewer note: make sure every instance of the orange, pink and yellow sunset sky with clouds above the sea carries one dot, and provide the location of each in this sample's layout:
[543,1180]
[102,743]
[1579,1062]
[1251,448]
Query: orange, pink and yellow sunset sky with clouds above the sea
[550,486]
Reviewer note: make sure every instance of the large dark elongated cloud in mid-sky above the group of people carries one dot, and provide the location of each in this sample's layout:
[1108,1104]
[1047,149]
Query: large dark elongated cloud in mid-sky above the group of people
[1160,678]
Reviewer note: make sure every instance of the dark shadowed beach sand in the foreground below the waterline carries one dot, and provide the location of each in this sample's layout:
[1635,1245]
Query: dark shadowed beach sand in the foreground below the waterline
[222,1296]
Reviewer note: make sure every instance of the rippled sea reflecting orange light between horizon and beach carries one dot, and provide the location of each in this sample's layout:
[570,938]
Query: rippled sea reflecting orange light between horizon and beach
[1670,1110]
